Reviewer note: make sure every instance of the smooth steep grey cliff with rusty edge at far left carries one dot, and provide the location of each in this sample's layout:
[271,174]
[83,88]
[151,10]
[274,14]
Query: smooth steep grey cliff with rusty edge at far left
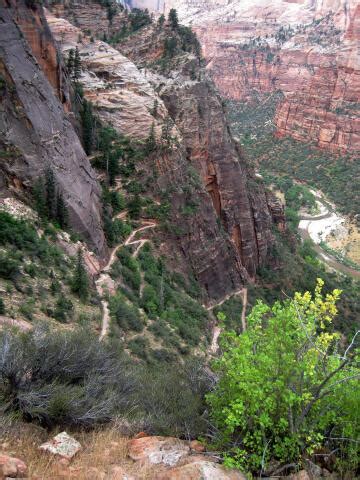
[35,133]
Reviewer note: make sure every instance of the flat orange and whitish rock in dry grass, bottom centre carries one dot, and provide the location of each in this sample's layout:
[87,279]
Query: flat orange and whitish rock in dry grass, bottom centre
[158,450]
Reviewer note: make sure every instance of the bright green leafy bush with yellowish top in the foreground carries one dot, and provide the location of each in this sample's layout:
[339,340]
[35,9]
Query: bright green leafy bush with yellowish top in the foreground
[284,389]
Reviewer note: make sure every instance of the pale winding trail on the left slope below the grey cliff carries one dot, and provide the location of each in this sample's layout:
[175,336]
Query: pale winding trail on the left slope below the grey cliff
[104,275]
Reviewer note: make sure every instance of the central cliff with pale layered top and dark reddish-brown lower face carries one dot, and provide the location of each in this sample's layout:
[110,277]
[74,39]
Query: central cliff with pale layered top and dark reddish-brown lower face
[220,218]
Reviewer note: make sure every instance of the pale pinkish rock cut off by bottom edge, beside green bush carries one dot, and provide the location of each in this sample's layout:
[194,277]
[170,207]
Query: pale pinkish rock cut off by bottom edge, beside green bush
[201,470]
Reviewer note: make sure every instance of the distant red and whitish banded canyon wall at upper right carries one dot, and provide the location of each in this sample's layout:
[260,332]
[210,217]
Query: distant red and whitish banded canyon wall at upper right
[308,50]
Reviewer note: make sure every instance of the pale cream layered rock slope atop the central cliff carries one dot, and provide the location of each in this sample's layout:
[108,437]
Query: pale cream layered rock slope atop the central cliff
[120,93]
